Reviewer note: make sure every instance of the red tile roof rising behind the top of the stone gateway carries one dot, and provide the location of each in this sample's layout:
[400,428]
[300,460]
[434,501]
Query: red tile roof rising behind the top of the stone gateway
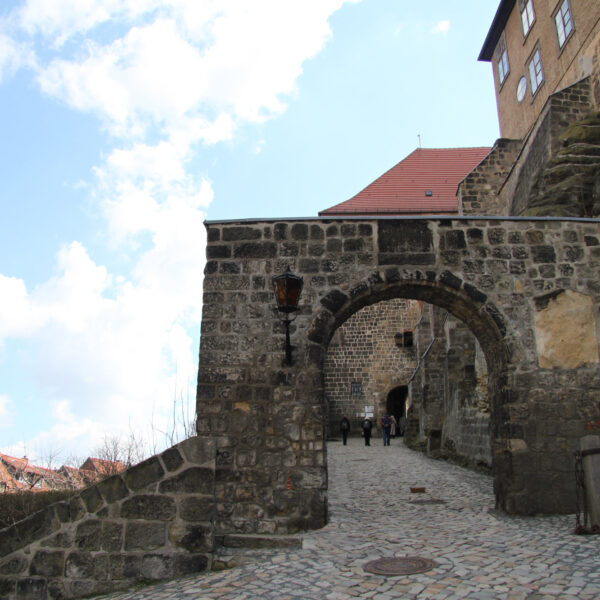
[405,188]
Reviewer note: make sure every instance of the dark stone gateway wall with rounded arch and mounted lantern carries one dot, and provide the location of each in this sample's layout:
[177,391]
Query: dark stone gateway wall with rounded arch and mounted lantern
[526,288]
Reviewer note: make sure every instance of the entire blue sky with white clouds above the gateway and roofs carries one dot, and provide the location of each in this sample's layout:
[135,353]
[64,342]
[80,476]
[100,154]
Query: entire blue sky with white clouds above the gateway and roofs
[125,124]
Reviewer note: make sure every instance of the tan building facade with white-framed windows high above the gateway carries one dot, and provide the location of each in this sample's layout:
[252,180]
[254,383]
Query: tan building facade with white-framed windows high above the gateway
[538,47]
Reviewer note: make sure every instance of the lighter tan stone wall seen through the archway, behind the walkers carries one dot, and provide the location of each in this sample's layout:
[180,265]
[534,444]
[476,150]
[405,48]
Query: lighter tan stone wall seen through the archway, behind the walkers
[363,352]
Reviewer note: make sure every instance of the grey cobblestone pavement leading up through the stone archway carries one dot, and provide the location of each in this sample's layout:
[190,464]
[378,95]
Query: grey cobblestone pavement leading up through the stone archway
[479,553]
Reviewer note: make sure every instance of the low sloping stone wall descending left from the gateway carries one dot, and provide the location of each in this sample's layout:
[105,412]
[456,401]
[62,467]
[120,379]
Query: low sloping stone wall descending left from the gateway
[153,521]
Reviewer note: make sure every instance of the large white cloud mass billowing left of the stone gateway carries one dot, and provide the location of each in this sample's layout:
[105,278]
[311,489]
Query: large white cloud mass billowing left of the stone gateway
[163,76]
